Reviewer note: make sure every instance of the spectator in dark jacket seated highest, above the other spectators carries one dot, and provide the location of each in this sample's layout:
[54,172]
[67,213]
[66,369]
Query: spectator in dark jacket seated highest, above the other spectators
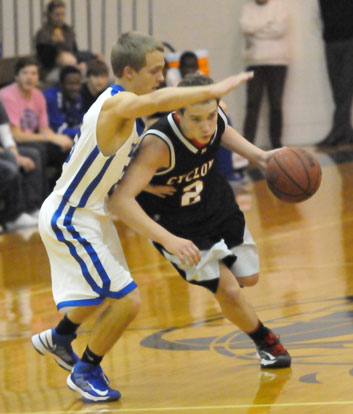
[56,34]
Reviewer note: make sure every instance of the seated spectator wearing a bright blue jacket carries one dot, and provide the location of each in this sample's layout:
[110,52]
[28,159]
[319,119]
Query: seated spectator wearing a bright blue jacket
[64,102]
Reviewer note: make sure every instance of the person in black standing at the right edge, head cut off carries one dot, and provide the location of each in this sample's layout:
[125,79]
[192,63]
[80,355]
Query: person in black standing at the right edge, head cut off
[337,20]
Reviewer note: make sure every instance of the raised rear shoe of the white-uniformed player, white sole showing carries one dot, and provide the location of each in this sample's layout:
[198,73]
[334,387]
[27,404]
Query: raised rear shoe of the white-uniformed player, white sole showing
[59,346]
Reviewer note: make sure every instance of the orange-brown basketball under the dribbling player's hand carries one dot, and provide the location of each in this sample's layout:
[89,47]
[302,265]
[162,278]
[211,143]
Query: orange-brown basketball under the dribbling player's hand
[293,174]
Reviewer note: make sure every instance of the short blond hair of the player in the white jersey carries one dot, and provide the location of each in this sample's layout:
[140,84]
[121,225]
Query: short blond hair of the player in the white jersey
[131,50]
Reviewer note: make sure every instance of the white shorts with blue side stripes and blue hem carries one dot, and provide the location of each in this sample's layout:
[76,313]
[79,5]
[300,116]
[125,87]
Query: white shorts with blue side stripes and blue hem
[86,258]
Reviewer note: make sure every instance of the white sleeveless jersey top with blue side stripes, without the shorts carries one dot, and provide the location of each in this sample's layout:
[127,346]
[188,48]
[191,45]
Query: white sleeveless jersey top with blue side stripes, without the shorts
[87,174]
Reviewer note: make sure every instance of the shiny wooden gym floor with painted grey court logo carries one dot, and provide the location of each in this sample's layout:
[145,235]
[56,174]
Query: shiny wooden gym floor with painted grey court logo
[180,355]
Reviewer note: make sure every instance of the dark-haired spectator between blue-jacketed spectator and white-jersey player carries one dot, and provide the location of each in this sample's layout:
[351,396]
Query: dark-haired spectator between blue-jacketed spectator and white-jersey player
[97,76]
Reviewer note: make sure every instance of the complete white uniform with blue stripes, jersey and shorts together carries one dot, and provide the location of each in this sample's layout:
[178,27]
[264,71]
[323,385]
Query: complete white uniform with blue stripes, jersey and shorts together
[86,258]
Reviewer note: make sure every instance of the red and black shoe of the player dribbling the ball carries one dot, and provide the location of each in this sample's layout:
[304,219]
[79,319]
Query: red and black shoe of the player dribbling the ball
[272,353]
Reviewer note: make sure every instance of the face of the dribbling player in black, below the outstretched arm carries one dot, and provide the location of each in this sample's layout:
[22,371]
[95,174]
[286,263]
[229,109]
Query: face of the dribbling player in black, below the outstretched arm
[199,121]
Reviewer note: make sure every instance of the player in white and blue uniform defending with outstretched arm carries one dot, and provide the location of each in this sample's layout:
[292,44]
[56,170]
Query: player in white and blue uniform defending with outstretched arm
[88,267]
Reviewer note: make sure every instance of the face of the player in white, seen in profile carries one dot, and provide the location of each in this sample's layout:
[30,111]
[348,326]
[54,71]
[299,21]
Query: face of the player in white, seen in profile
[148,78]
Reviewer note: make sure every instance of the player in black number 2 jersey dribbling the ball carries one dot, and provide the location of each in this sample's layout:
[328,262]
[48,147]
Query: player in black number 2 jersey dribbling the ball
[173,179]
